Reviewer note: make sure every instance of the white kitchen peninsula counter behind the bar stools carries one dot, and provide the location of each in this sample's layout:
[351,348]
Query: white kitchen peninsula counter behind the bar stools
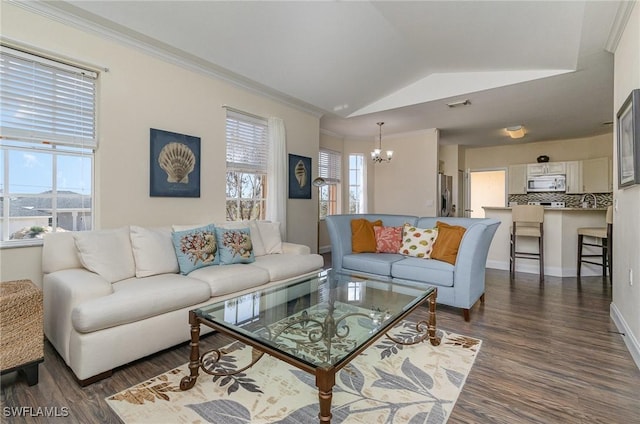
[560,240]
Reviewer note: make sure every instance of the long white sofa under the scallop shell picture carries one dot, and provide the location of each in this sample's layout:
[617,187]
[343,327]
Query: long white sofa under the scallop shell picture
[114,296]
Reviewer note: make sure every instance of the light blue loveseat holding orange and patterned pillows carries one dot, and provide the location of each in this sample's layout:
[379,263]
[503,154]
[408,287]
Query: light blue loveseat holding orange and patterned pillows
[460,285]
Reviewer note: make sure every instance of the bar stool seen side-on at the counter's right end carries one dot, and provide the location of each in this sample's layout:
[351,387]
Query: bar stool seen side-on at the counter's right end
[605,235]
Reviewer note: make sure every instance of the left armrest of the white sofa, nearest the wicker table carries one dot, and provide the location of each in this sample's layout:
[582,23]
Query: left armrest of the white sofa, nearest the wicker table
[64,290]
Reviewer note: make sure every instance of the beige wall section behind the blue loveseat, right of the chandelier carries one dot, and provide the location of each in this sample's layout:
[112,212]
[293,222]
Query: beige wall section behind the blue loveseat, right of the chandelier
[407,185]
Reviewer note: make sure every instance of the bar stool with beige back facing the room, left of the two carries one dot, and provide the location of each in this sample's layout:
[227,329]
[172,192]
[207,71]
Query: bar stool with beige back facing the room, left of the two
[527,222]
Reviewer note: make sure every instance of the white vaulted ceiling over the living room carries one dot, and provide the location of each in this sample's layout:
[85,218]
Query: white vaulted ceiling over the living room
[542,64]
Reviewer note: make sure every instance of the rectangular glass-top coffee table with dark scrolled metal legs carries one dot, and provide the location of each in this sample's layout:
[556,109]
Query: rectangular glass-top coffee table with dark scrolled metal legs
[317,324]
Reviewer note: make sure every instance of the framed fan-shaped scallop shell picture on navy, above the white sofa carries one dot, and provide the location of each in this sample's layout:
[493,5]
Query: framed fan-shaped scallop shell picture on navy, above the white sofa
[175,165]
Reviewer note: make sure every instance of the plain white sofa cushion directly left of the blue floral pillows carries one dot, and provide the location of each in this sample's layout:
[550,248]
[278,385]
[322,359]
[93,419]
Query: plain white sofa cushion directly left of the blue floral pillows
[153,251]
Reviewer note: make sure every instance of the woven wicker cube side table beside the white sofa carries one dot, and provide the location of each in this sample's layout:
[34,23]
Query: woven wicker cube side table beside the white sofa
[21,331]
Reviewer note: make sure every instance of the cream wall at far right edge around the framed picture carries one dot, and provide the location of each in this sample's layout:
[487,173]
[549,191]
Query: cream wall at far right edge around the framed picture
[625,308]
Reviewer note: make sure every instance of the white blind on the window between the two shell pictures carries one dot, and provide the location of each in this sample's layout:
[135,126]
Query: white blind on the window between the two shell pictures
[247,143]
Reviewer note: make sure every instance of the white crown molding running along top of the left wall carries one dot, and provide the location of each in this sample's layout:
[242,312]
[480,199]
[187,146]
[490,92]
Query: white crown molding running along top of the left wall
[70,15]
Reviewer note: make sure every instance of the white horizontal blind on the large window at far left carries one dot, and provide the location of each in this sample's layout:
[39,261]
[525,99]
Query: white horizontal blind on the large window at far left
[45,101]
